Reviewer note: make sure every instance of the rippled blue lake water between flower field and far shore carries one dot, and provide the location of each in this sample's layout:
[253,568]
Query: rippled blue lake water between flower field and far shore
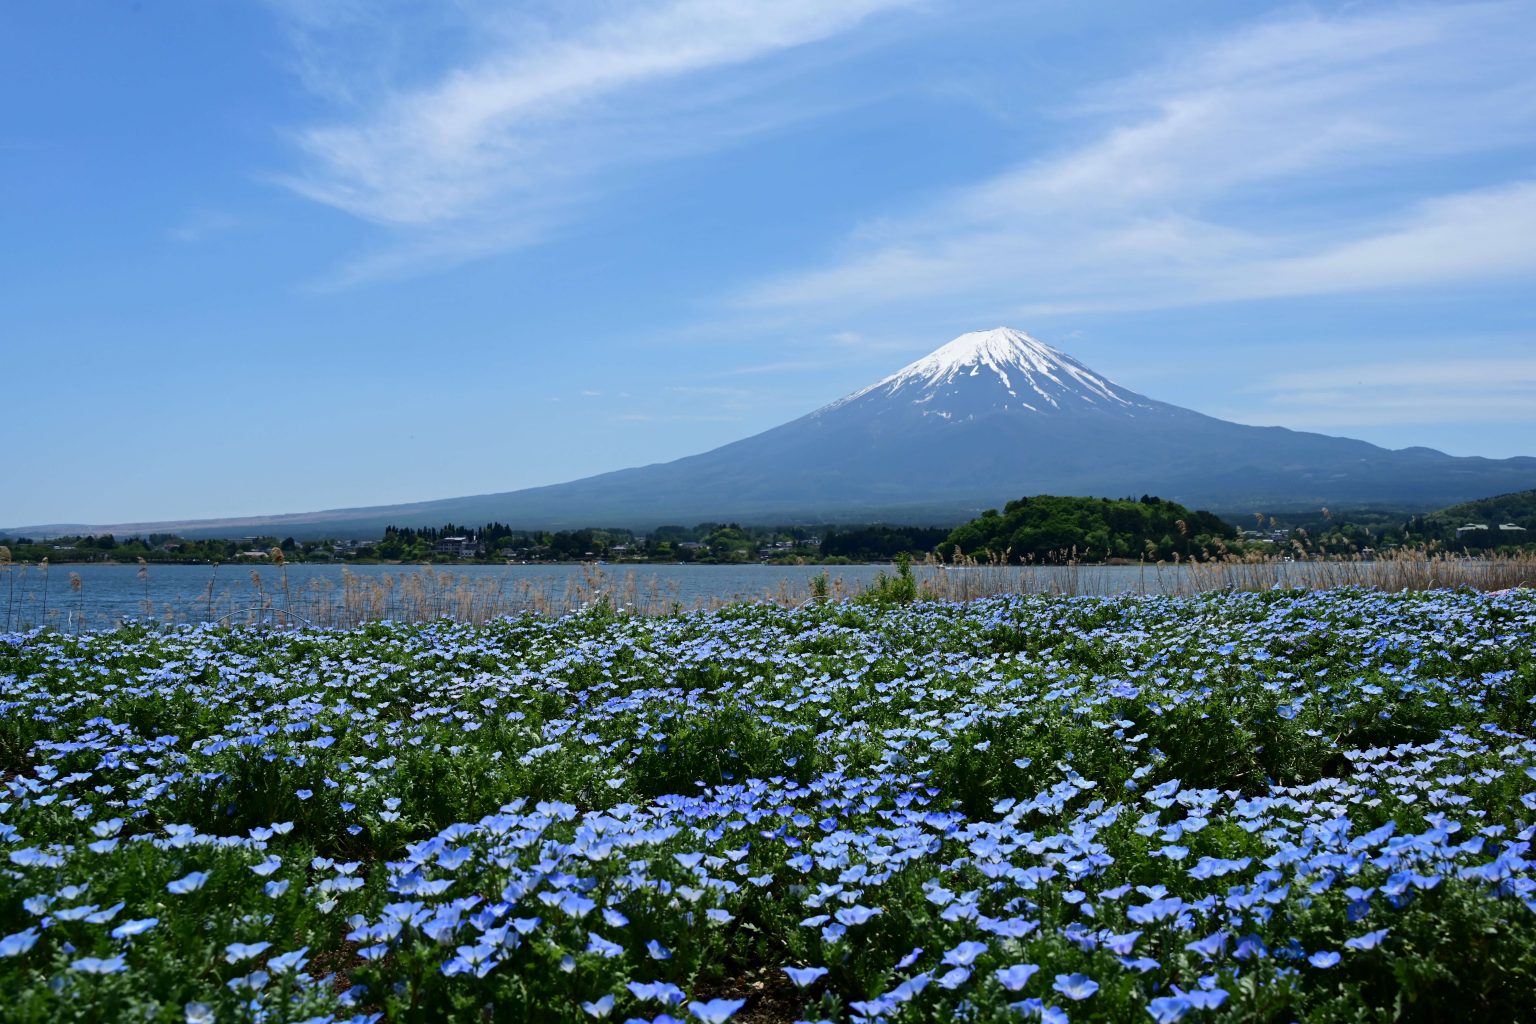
[345,595]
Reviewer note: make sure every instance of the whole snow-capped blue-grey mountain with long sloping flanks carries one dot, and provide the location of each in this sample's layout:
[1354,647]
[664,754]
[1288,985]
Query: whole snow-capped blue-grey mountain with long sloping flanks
[990,417]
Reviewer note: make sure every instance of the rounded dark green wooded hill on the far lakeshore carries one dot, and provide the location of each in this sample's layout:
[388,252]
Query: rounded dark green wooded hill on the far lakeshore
[1050,529]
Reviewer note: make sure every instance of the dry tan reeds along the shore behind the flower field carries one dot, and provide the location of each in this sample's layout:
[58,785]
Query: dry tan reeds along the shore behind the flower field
[426,593]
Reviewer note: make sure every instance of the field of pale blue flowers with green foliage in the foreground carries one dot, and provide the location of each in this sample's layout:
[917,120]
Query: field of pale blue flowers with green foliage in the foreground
[1240,807]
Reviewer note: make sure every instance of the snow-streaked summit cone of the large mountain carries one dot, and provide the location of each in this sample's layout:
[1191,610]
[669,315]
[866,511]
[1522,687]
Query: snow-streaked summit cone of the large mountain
[998,371]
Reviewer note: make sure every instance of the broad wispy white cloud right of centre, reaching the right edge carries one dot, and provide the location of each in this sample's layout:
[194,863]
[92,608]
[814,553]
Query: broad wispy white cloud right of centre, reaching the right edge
[1217,177]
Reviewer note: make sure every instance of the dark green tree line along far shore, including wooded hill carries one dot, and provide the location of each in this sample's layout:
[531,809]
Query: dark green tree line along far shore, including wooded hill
[1042,529]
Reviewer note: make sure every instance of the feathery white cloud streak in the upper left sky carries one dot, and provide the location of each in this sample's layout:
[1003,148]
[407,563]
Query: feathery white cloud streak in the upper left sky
[483,157]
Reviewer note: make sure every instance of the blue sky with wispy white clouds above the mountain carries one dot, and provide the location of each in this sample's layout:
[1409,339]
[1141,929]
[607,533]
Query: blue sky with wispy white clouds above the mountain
[313,254]
